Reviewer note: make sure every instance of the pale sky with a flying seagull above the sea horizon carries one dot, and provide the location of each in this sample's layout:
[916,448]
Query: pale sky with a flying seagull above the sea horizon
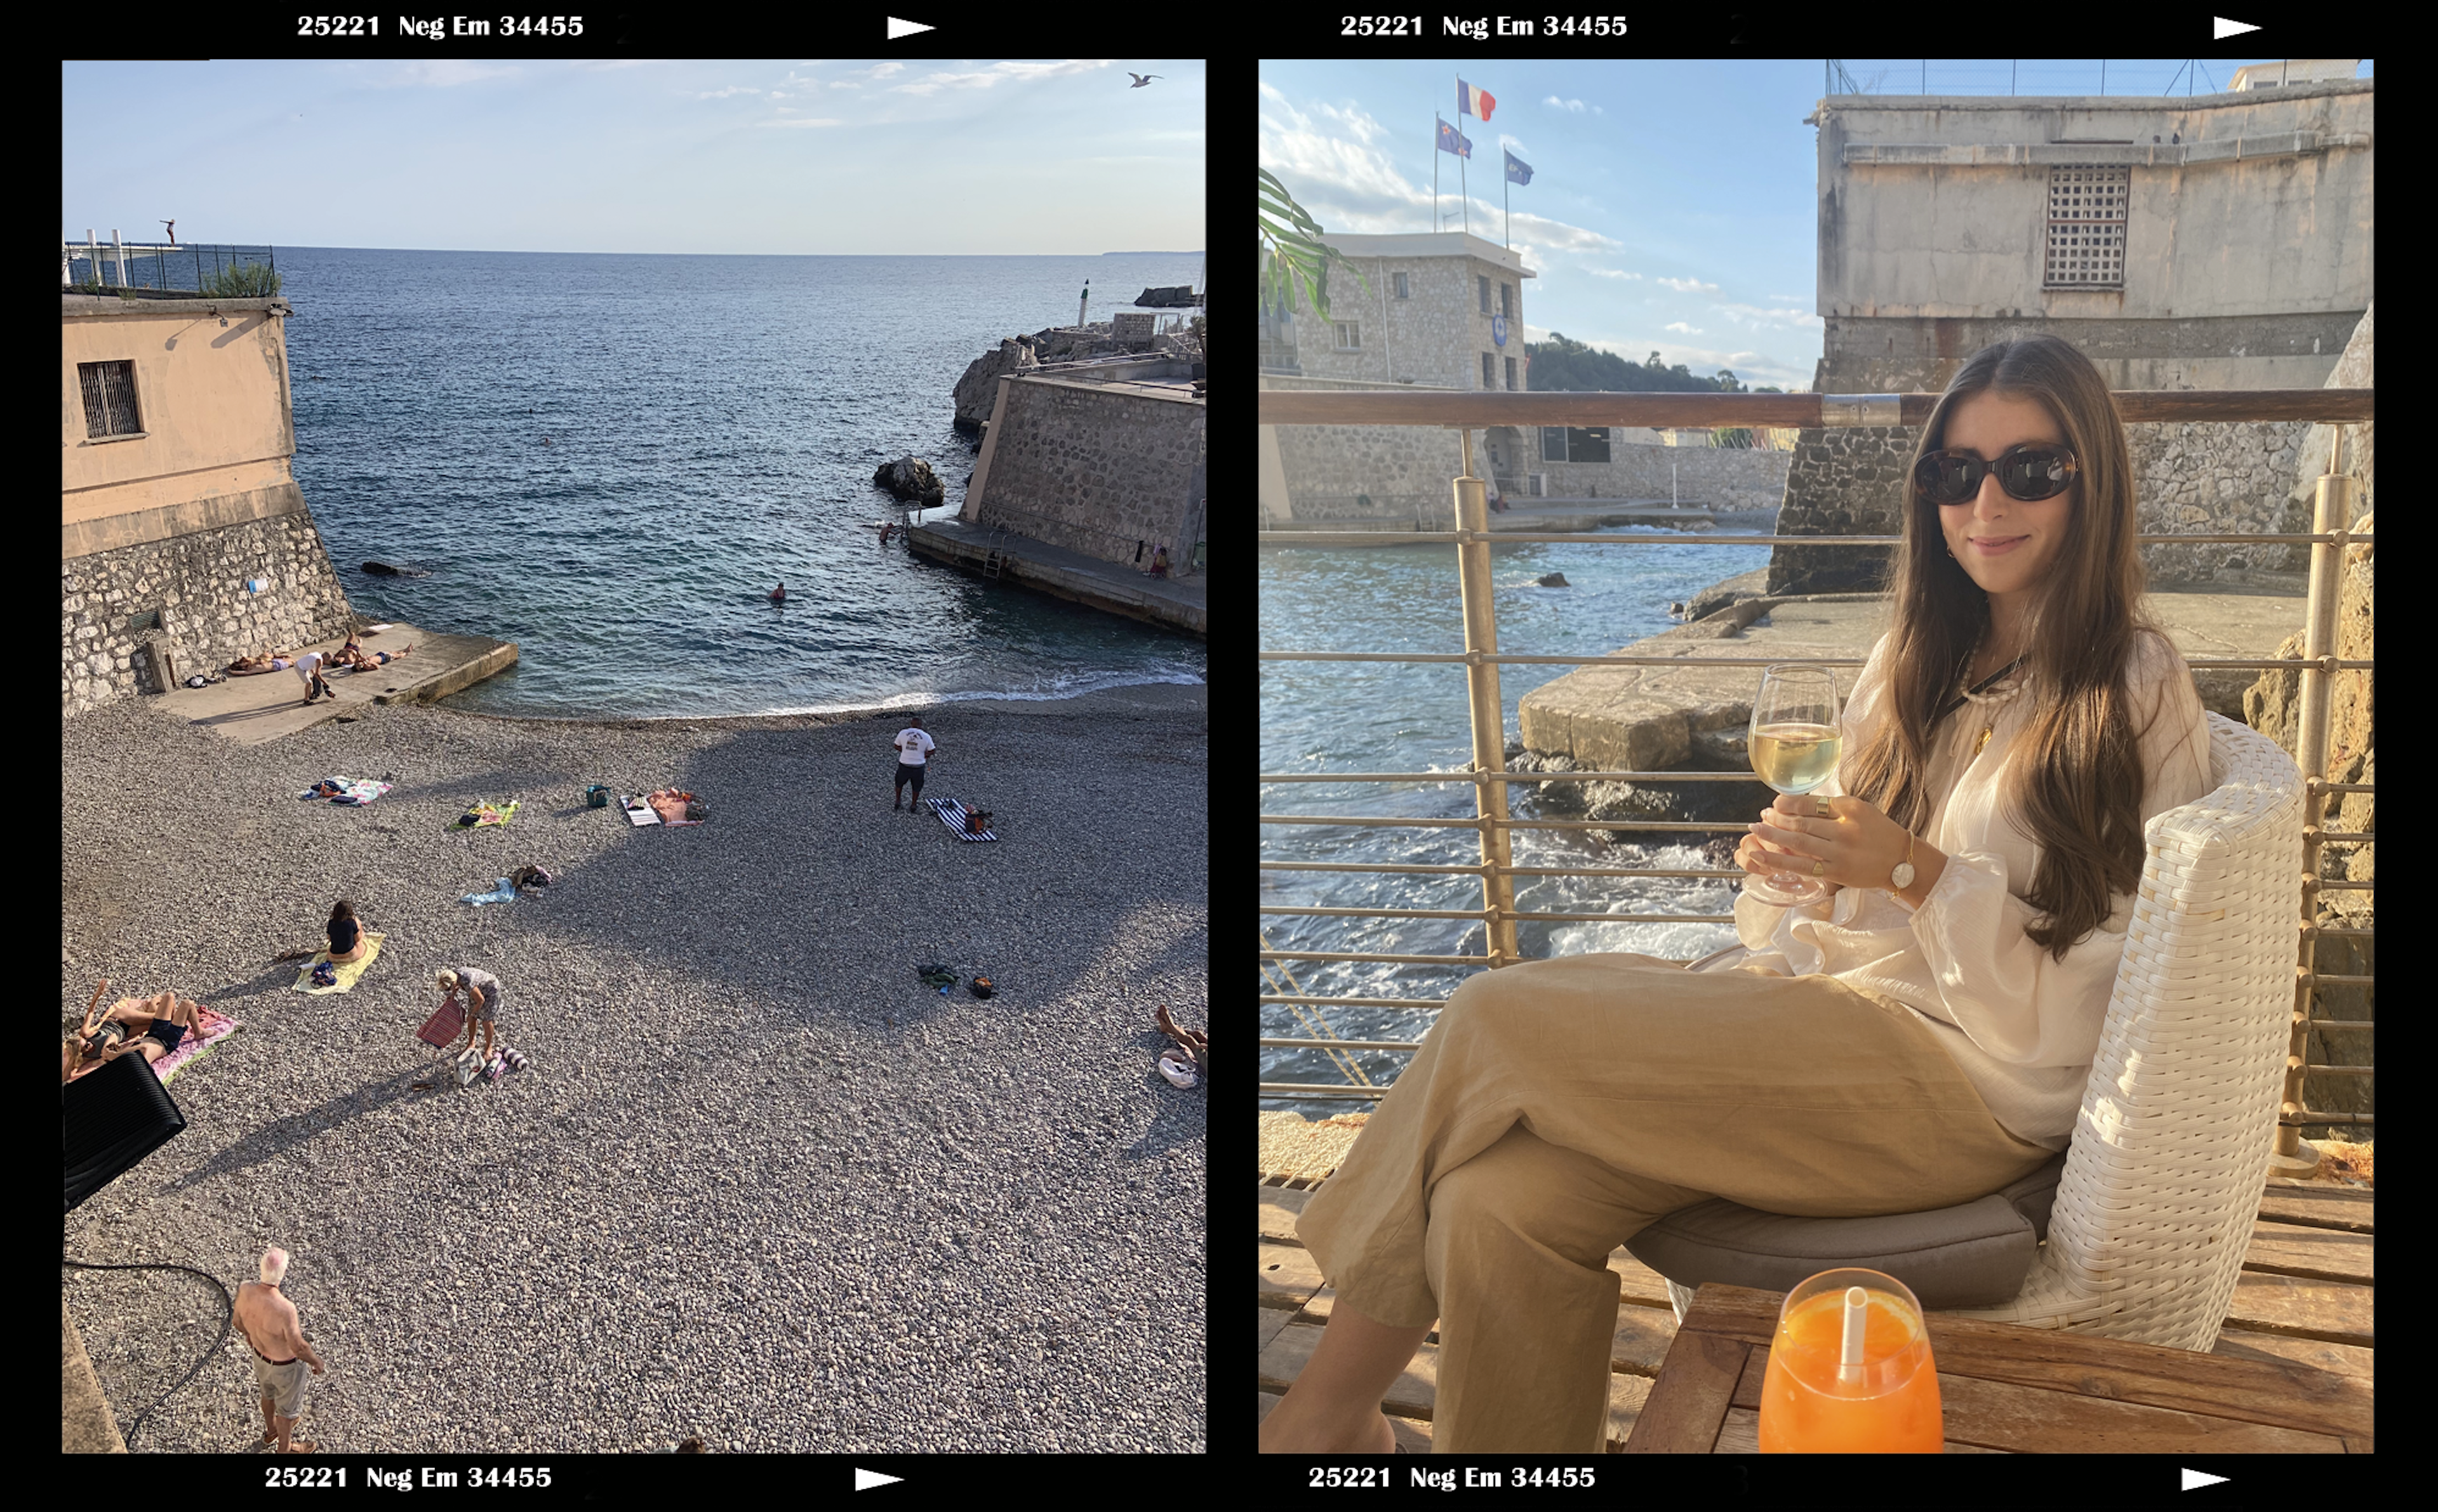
[825,157]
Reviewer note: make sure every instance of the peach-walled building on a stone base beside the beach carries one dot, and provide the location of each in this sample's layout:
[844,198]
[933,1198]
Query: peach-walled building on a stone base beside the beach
[184,535]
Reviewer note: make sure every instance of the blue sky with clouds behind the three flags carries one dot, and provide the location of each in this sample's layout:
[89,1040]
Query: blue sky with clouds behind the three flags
[1674,204]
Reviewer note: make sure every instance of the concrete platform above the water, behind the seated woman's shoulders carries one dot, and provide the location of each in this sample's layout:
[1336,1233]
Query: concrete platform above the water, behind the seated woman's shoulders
[1657,718]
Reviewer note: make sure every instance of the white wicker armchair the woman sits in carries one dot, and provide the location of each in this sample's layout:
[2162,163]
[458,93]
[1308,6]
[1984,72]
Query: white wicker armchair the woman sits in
[2178,1121]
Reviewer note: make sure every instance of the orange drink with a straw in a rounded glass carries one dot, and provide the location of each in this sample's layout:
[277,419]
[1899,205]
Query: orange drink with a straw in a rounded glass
[1813,1401]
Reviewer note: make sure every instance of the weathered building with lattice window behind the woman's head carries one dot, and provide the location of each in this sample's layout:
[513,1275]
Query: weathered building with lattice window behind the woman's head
[2181,243]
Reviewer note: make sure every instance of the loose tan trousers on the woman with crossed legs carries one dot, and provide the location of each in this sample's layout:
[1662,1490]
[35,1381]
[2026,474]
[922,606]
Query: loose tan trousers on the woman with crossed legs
[1562,1106]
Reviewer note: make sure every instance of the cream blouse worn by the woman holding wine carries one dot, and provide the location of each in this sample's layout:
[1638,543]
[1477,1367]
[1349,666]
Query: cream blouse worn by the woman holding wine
[2020,1023]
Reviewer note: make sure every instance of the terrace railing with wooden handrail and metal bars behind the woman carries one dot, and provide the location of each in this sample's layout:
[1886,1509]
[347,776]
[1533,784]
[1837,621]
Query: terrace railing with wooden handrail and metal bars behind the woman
[1481,660]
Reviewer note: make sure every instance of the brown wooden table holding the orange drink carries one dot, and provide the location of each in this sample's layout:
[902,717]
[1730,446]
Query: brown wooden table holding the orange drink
[2008,1389]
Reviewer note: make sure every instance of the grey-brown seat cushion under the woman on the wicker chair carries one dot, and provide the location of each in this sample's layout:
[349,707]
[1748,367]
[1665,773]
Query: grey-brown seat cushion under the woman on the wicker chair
[1956,1257]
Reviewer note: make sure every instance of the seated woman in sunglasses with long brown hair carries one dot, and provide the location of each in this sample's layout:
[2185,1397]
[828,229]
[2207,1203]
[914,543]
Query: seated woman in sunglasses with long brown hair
[1913,1043]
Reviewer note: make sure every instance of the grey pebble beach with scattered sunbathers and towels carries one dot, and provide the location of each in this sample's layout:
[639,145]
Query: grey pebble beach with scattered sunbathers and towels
[757,1184]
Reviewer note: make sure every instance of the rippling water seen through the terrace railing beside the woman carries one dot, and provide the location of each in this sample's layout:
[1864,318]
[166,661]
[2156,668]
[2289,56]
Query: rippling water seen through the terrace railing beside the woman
[1374,716]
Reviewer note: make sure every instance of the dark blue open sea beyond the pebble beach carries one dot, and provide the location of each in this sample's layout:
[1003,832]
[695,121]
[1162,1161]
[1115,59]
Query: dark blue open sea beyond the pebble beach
[613,460]
